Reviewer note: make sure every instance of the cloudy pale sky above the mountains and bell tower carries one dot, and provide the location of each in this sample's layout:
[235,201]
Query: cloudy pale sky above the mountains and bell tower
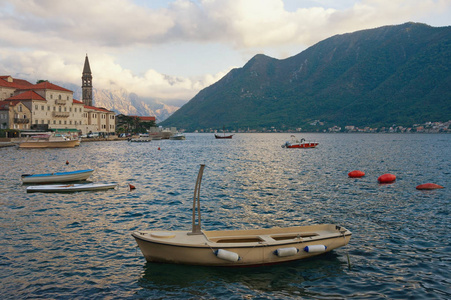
[169,50]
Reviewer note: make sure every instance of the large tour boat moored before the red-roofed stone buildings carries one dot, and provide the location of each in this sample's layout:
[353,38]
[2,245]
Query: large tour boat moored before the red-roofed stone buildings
[49,140]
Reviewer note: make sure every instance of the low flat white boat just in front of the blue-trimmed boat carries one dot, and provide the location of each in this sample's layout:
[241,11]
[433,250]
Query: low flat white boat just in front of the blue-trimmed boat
[70,188]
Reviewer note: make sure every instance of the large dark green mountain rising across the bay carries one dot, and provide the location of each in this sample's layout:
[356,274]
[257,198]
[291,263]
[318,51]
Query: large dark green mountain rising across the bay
[378,77]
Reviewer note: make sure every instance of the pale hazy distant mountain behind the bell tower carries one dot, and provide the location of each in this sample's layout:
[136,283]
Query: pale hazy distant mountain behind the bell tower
[123,102]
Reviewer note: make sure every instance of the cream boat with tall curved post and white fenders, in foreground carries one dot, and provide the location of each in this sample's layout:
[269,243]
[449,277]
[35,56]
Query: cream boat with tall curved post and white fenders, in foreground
[238,247]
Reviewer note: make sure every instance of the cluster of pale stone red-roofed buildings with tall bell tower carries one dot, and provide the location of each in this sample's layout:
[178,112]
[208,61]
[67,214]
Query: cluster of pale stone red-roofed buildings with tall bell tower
[48,106]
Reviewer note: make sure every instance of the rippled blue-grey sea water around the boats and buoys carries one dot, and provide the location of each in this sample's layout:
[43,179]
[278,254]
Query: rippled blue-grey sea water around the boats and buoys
[79,245]
